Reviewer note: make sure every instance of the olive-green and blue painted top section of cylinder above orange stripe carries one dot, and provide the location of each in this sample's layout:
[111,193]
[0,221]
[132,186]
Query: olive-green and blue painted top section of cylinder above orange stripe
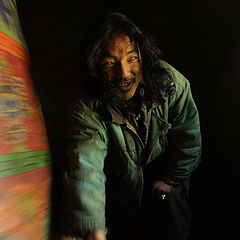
[9,21]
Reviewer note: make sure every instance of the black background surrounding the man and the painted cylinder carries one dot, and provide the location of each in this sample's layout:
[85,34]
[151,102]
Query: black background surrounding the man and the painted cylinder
[201,39]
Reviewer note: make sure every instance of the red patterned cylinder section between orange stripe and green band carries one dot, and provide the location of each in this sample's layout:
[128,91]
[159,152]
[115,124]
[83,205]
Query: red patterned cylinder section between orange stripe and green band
[22,125]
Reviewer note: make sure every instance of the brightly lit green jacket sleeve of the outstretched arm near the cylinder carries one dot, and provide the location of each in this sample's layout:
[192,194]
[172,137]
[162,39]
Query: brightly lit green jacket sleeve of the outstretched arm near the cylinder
[84,179]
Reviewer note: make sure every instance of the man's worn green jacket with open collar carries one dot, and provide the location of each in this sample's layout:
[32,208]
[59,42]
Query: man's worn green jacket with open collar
[107,155]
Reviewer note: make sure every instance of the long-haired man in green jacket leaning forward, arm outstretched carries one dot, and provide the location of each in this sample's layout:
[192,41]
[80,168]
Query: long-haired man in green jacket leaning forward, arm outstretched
[133,141]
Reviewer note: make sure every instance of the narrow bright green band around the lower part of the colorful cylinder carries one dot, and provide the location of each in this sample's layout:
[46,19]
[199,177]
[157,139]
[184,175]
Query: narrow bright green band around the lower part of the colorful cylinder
[17,163]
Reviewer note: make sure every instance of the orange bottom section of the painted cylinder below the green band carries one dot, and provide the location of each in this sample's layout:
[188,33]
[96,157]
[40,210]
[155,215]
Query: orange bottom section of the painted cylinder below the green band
[24,206]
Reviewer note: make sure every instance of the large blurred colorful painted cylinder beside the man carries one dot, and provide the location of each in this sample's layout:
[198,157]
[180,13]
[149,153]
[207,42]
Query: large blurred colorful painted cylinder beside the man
[24,153]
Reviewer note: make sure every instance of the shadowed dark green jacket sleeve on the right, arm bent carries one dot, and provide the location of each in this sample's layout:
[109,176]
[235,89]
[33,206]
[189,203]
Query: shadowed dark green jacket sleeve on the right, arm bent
[183,153]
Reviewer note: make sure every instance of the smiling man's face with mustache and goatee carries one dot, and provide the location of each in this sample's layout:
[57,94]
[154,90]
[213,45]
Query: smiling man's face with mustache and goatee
[120,62]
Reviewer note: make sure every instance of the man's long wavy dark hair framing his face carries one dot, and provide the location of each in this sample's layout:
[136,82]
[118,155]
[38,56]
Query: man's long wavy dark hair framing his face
[156,81]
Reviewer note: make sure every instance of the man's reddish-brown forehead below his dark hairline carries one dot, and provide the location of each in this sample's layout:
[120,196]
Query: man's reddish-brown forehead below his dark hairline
[119,42]
